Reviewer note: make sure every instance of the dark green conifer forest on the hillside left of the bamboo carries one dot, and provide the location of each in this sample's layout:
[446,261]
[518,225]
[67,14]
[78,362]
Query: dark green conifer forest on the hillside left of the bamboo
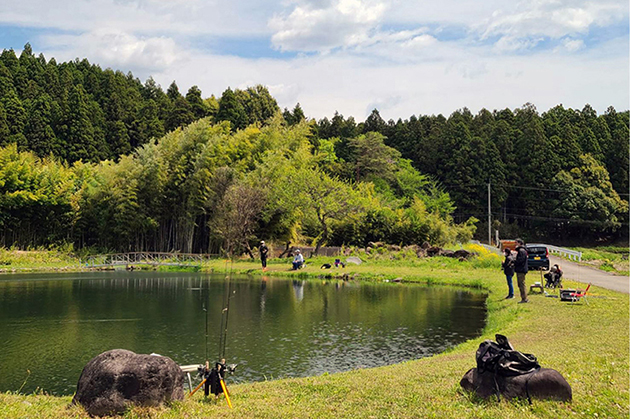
[77,111]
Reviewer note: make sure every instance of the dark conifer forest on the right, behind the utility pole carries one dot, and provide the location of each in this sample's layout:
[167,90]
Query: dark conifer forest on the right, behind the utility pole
[562,174]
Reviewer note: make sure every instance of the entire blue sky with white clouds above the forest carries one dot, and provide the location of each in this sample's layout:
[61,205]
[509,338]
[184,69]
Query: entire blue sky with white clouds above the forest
[404,57]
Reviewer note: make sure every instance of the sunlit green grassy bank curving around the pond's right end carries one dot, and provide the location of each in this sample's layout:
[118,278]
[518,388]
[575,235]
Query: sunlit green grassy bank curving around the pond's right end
[588,344]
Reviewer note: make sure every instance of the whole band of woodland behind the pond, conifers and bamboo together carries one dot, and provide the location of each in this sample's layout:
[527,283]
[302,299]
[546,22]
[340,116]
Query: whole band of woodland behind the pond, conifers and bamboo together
[97,158]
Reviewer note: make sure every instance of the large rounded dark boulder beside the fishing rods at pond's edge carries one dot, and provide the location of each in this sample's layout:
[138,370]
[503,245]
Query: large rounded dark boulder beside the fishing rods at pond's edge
[117,379]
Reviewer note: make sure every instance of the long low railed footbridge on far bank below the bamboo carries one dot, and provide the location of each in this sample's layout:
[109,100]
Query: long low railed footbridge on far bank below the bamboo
[131,259]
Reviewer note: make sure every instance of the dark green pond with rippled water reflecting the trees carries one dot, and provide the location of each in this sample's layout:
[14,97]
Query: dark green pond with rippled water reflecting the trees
[53,324]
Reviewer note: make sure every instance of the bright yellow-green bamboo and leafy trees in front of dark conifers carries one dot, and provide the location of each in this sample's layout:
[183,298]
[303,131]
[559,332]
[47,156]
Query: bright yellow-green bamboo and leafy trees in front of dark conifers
[205,188]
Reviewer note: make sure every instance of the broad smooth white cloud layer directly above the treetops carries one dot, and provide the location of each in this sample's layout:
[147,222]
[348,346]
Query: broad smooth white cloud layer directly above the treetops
[353,86]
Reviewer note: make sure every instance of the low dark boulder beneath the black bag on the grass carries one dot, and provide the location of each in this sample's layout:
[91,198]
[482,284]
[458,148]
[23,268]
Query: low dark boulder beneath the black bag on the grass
[544,384]
